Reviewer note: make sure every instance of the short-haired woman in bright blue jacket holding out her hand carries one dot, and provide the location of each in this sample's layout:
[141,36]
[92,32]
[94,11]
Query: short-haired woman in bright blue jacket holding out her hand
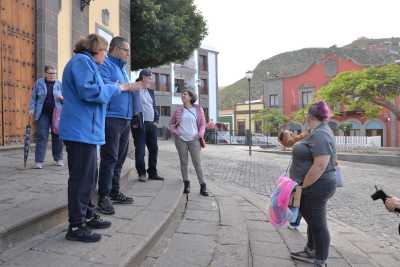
[82,129]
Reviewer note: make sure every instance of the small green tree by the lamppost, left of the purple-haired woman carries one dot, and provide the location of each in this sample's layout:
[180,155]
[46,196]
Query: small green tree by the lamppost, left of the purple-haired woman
[272,119]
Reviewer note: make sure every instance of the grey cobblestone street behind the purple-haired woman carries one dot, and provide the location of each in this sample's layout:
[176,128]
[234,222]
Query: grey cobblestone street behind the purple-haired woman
[351,204]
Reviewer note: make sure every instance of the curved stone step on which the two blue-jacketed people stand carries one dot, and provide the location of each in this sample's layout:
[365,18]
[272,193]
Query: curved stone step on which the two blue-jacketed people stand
[135,228]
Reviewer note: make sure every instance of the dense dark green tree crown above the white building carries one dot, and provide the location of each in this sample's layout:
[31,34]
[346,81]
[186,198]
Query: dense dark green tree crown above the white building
[164,31]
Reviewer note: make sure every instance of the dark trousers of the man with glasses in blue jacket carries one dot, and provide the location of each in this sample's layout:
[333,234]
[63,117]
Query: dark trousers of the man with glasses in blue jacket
[113,154]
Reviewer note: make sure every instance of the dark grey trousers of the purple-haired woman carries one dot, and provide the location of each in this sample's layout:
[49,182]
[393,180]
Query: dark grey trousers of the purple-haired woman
[313,209]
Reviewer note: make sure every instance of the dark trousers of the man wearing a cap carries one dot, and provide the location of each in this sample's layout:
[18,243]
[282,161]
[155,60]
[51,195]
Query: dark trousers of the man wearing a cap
[146,136]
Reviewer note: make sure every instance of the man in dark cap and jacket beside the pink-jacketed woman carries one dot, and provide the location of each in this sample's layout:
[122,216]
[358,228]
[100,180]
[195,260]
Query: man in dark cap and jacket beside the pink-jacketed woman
[144,131]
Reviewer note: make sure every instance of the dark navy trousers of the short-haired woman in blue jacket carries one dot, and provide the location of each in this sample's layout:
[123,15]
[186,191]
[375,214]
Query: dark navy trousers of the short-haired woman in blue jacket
[82,165]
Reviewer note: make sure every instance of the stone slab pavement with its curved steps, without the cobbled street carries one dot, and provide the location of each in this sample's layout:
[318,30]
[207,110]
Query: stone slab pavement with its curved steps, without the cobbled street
[230,228]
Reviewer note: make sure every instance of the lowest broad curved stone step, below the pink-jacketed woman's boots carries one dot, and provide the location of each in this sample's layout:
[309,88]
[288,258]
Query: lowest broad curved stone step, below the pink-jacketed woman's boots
[222,230]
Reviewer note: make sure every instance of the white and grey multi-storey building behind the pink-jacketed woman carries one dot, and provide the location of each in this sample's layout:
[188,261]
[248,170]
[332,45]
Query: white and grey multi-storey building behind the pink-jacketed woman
[199,73]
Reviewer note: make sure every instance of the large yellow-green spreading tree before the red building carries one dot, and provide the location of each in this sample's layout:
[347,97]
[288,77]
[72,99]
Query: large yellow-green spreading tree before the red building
[368,90]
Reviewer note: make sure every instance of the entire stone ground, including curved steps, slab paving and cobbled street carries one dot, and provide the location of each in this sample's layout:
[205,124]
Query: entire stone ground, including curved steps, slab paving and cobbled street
[230,228]
